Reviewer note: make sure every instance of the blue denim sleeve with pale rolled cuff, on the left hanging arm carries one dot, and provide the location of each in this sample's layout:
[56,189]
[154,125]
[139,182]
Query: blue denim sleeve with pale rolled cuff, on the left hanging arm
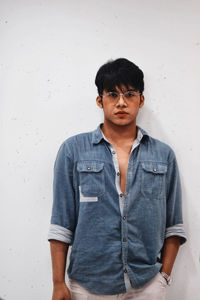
[63,220]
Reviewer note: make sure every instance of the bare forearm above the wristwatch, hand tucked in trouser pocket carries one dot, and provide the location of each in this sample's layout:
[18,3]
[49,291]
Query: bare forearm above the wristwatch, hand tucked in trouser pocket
[169,253]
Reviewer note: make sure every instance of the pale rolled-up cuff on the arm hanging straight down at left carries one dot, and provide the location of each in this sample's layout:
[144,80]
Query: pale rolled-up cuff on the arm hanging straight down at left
[59,233]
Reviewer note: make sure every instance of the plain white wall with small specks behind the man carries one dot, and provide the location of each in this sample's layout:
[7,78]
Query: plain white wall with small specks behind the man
[49,55]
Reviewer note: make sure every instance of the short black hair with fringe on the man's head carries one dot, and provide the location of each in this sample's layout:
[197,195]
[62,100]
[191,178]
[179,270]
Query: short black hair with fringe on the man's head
[119,72]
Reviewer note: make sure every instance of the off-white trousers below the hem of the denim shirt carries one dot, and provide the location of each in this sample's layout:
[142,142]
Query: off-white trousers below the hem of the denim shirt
[155,289]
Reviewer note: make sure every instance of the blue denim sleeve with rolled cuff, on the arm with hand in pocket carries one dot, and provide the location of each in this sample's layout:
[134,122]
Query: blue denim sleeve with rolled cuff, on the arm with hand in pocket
[174,220]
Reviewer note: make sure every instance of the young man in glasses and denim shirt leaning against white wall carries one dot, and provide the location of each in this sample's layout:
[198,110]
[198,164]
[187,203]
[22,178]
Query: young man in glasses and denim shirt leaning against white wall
[117,201]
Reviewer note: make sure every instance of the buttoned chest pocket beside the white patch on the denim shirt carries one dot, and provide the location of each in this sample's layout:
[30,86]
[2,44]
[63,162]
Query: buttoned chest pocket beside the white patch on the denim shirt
[91,178]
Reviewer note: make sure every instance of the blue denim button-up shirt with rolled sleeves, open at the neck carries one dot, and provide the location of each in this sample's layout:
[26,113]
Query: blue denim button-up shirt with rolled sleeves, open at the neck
[116,239]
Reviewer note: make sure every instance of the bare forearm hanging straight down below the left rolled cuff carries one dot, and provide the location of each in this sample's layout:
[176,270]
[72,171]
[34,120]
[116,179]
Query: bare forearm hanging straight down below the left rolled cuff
[59,252]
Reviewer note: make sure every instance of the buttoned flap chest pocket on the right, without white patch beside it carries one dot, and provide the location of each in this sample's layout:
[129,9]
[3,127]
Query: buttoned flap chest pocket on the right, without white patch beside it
[153,179]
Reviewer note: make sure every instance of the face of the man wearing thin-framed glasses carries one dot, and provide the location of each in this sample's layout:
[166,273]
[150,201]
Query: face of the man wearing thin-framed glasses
[112,108]
